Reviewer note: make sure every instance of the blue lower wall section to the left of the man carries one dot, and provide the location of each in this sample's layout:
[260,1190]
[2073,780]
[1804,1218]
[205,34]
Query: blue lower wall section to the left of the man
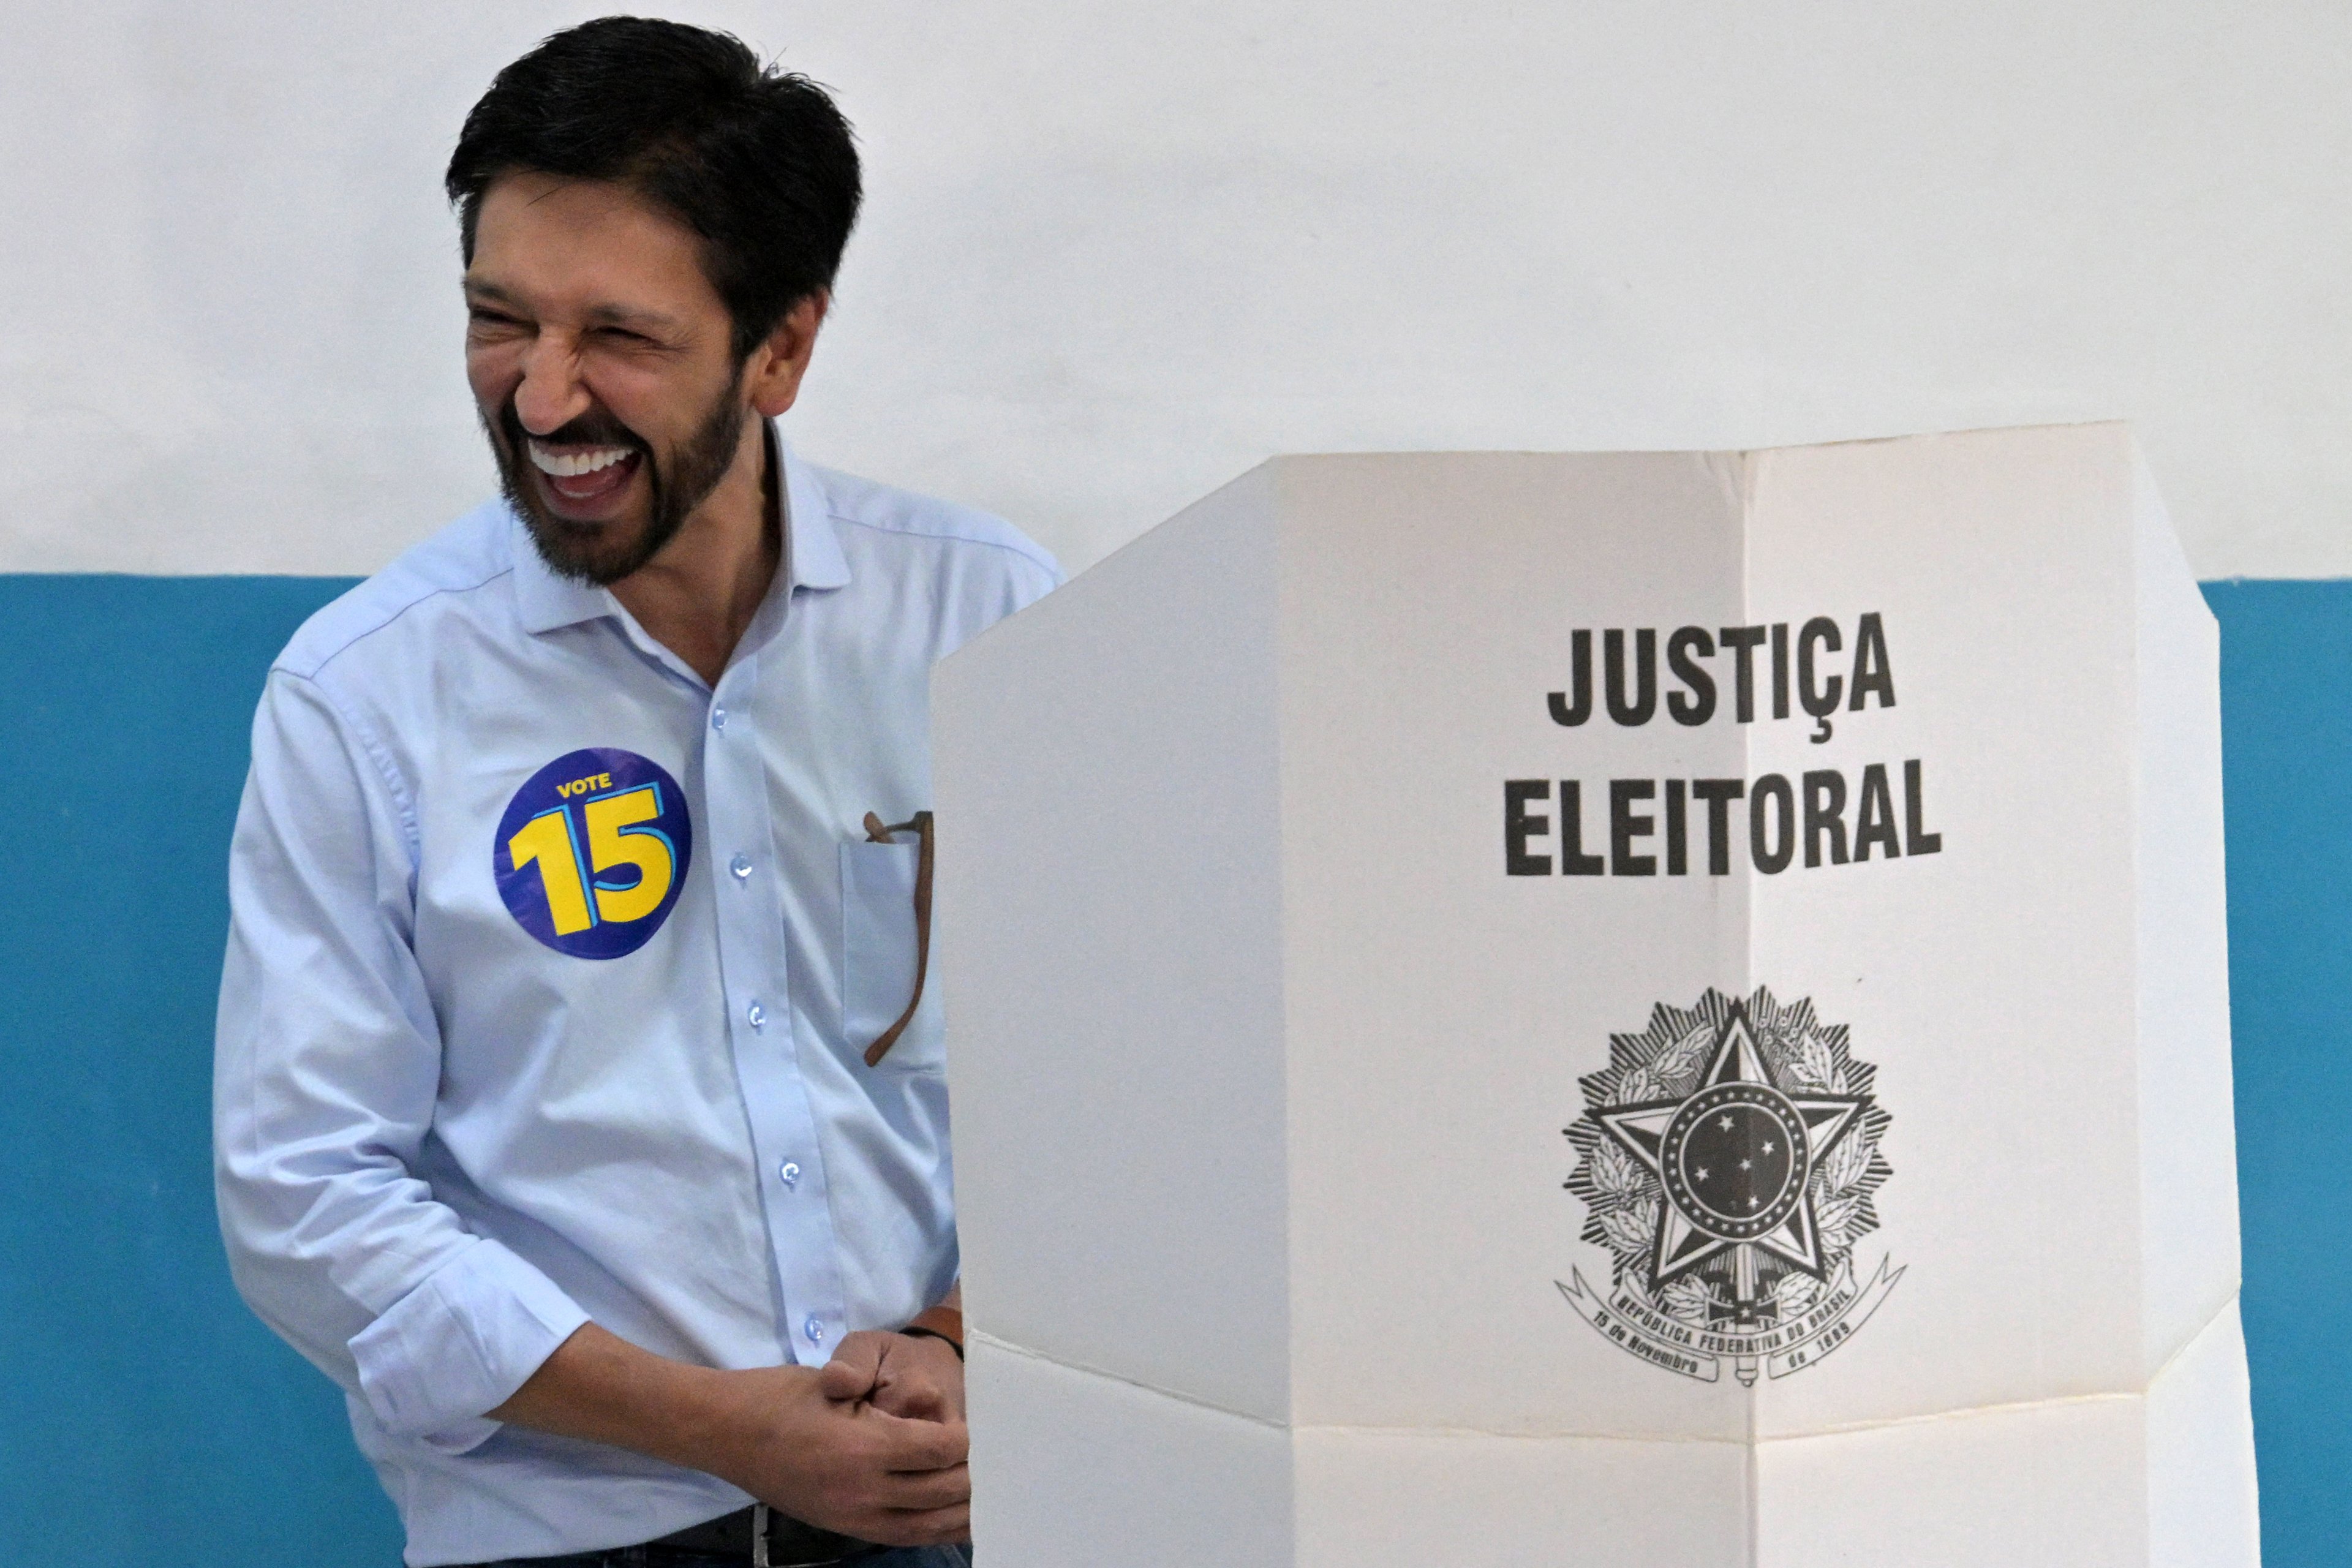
[145,1412]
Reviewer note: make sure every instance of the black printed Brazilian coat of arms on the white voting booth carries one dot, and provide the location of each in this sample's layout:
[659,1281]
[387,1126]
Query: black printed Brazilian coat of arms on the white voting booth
[1730,1160]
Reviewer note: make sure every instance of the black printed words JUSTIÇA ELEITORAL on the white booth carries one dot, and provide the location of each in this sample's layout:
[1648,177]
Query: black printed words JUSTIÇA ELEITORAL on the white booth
[1683,826]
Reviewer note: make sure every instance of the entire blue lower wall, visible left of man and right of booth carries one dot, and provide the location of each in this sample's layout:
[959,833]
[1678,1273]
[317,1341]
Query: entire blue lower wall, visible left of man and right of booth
[145,1414]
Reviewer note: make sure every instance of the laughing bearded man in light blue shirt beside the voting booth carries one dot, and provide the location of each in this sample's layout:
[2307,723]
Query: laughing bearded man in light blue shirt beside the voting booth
[570,1101]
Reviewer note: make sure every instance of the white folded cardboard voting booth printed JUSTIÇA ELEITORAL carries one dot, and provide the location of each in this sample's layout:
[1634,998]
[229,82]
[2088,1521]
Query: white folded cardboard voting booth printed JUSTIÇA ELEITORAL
[1603,1010]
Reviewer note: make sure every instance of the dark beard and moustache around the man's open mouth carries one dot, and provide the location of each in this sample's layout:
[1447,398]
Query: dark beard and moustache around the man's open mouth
[603,554]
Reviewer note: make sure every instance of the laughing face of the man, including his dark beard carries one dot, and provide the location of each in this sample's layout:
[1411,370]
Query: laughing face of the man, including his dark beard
[603,370]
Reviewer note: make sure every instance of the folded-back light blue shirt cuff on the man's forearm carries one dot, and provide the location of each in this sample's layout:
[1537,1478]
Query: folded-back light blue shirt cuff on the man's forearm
[460,1346]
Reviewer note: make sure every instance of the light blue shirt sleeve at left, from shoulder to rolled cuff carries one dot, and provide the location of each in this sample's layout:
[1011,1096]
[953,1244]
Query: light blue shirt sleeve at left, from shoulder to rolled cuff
[326,1076]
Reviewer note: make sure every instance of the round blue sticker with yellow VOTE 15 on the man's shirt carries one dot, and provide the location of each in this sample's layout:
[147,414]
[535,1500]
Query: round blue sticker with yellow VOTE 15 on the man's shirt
[594,850]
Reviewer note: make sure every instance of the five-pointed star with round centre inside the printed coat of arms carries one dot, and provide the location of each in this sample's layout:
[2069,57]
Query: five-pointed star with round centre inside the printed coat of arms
[1737,1160]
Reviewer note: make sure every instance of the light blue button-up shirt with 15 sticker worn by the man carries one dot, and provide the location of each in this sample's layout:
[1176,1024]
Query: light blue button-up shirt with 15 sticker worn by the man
[549,981]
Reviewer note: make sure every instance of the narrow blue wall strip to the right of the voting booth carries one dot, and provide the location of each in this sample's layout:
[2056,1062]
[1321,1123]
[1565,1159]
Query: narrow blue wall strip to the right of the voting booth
[2287,763]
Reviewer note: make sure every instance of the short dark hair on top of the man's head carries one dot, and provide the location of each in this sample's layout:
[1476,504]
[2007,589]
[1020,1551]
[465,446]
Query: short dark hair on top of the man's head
[754,161]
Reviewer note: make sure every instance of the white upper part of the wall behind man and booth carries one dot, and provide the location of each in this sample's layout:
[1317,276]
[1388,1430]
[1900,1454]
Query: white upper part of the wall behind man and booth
[1121,253]
